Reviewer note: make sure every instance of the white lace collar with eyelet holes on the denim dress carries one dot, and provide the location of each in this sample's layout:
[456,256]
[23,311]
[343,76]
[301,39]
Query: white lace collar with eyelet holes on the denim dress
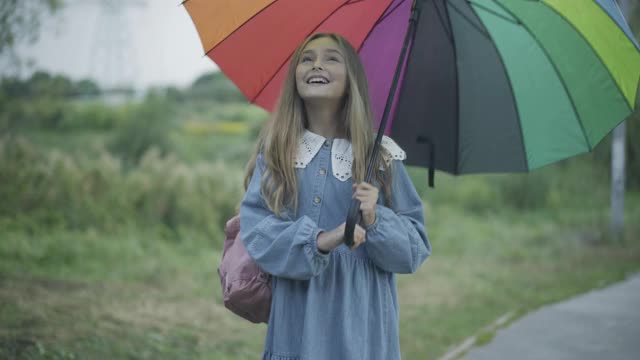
[341,153]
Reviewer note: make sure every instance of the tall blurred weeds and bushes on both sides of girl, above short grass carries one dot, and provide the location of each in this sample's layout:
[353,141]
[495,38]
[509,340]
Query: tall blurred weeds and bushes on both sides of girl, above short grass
[154,159]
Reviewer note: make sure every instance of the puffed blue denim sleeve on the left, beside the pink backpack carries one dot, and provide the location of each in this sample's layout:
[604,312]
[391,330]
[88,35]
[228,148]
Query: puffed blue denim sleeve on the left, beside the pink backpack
[280,247]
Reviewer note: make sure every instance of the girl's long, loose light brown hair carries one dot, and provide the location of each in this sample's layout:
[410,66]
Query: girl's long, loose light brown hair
[281,134]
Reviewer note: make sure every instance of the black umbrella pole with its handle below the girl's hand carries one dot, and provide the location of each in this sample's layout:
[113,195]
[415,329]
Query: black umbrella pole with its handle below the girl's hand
[354,214]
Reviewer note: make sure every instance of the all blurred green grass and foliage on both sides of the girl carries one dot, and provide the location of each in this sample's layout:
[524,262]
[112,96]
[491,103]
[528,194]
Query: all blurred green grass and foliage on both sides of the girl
[126,196]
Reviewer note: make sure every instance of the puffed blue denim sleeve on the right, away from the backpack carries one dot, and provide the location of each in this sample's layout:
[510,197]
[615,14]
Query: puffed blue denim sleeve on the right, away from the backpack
[397,241]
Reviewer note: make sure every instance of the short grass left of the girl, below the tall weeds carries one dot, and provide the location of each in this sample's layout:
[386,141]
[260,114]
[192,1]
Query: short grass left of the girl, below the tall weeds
[126,296]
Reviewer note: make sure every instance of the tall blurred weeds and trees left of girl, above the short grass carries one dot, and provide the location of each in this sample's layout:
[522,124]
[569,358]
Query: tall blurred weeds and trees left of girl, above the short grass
[169,158]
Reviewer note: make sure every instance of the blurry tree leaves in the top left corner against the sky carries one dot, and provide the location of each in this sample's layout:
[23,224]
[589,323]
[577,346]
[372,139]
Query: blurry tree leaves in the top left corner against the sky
[20,23]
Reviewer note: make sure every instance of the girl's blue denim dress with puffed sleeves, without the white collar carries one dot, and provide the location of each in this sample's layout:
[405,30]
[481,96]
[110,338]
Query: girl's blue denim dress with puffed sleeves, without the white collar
[341,305]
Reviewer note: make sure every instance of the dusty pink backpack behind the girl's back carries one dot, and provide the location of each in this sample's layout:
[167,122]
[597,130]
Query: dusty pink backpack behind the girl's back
[246,289]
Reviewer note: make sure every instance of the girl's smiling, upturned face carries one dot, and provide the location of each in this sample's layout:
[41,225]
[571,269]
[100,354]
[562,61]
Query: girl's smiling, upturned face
[321,73]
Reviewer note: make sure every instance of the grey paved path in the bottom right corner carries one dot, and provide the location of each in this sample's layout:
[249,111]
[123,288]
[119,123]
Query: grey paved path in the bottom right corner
[603,324]
